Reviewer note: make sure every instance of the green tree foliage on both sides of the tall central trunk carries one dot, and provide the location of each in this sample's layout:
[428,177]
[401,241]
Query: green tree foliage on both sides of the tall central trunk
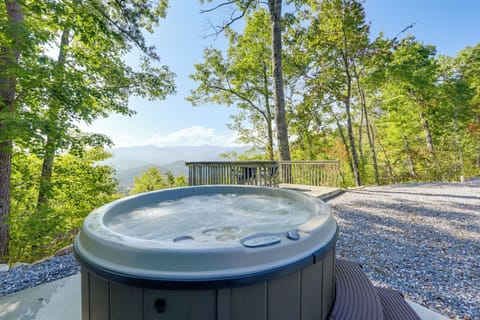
[391,110]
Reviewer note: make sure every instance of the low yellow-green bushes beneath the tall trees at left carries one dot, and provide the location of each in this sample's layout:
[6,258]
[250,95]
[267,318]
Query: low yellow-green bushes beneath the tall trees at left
[79,185]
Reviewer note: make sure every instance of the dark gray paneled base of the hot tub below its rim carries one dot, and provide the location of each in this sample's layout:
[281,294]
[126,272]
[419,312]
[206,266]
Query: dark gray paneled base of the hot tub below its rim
[306,294]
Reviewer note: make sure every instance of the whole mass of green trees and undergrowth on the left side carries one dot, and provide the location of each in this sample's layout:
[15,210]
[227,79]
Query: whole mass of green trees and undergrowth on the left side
[63,63]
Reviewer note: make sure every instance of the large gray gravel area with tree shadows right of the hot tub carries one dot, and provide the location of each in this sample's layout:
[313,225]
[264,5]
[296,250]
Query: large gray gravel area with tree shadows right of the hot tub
[421,239]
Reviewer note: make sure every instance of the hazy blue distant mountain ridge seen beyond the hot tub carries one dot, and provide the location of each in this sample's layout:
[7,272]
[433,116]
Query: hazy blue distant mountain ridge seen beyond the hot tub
[132,161]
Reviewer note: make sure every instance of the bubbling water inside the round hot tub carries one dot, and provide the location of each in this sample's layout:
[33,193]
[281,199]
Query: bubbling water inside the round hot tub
[211,218]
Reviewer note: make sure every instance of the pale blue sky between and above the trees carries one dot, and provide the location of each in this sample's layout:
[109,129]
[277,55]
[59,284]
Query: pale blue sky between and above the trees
[450,25]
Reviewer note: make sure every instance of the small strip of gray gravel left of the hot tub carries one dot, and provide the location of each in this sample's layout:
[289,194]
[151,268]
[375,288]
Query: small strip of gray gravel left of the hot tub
[31,275]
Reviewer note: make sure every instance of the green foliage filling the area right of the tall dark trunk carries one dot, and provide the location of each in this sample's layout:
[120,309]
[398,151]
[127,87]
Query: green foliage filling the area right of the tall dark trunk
[418,110]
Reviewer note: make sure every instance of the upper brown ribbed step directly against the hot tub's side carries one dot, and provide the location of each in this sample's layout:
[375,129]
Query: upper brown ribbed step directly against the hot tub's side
[356,298]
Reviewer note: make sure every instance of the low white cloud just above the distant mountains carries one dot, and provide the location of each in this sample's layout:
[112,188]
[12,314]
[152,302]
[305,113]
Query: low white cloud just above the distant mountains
[194,136]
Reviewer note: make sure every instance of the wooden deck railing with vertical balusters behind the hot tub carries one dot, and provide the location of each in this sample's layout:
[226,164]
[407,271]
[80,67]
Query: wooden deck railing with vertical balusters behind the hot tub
[264,173]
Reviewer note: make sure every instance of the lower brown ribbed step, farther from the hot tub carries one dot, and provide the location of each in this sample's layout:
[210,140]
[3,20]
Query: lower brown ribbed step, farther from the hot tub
[394,305]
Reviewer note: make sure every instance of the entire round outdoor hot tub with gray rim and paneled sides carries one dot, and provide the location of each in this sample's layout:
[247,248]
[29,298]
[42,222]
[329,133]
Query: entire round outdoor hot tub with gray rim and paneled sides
[209,252]
